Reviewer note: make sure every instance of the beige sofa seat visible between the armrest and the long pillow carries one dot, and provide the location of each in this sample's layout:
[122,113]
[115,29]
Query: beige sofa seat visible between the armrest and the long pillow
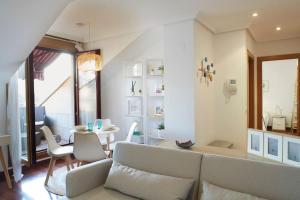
[102,193]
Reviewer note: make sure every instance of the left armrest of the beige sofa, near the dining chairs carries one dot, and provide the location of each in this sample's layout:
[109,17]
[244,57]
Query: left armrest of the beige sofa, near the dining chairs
[87,177]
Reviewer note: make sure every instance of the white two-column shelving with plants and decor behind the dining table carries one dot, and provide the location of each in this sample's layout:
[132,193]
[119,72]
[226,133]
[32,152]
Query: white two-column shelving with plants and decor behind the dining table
[147,97]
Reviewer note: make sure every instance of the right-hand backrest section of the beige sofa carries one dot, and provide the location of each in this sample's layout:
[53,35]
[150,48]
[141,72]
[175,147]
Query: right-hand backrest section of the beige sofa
[267,180]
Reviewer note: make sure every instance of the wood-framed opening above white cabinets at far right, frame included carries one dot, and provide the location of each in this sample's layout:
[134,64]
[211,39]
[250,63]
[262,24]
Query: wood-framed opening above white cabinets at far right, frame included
[278,93]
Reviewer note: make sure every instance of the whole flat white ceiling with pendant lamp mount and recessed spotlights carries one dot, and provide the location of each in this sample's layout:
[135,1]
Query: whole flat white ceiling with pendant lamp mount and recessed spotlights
[109,18]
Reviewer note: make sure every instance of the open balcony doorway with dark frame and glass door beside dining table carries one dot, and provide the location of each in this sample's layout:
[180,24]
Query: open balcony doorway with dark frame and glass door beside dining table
[55,96]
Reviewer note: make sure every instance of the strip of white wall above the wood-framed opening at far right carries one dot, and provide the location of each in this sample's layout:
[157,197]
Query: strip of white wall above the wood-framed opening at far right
[279,47]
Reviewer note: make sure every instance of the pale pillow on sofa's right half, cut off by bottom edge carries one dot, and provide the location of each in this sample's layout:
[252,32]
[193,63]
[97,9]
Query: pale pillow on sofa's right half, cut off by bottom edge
[213,192]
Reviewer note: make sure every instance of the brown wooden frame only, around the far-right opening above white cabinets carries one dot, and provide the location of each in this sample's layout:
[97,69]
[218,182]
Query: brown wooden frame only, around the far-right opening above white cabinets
[260,60]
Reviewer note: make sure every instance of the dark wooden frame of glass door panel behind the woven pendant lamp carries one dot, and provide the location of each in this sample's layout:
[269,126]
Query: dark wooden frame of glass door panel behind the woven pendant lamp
[76,89]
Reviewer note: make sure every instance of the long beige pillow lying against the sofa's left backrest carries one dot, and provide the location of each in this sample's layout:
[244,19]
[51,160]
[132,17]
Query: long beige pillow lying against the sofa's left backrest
[133,182]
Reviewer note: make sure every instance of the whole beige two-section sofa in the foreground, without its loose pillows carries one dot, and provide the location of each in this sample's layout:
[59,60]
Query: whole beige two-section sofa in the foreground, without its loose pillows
[267,180]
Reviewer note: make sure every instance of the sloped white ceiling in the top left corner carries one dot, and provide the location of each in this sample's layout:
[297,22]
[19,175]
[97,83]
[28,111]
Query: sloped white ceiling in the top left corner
[22,25]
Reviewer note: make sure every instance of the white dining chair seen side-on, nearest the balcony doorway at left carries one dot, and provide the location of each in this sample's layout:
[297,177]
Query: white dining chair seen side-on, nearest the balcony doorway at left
[55,151]
